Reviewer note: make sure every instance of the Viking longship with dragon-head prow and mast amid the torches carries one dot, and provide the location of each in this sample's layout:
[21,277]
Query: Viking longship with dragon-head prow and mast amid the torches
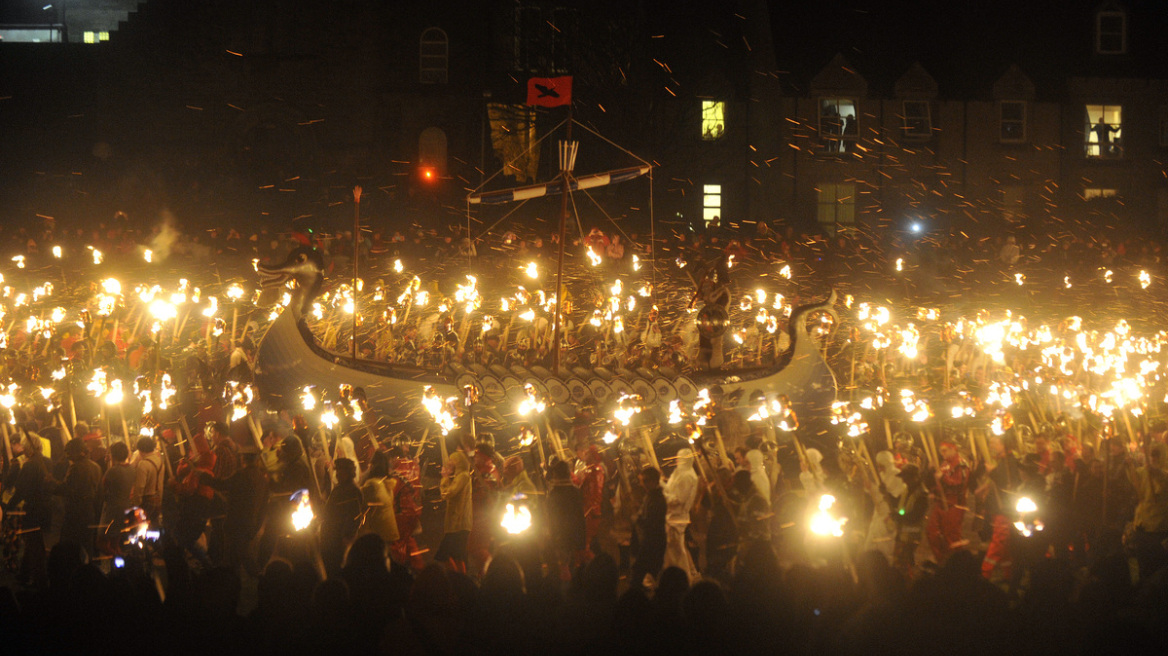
[290,359]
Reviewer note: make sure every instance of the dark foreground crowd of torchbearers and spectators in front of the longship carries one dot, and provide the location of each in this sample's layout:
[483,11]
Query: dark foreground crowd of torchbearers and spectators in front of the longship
[697,559]
